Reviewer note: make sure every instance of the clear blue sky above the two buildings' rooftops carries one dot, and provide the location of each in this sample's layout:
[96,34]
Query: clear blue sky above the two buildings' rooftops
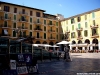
[67,8]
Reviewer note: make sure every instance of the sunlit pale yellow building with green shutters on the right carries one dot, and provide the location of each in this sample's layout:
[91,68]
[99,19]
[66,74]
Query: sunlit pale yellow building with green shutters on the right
[83,28]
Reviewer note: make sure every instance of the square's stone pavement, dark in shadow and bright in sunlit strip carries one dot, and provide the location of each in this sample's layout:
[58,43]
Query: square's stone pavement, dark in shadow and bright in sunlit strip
[81,63]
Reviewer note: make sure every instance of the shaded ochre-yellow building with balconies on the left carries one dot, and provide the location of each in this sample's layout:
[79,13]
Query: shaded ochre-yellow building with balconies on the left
[30,21]
